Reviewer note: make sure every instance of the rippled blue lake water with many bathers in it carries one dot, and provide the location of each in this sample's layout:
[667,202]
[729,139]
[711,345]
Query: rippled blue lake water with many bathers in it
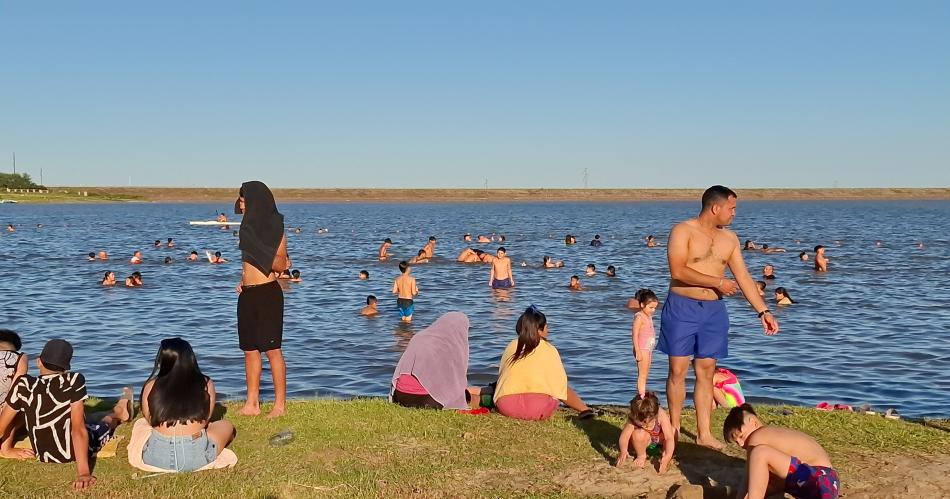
[874,329]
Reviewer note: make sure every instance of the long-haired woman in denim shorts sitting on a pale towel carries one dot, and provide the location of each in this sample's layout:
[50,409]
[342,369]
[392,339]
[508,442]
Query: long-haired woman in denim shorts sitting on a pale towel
[177,402]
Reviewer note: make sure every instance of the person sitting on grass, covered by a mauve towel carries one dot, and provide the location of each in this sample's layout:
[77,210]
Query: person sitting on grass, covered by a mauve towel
[431,374]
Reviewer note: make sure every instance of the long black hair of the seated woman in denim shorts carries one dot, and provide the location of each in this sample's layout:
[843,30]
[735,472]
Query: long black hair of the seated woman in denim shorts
[180,390]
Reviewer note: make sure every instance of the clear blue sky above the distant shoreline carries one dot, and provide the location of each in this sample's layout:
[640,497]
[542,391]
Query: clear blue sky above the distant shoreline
[449,94]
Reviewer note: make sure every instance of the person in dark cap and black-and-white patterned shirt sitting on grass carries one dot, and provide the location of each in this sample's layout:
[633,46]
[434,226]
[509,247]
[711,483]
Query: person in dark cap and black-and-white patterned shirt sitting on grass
[54,413]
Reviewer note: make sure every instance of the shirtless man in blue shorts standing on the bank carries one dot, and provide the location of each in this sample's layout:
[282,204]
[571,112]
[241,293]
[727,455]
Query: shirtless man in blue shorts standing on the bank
[694,322]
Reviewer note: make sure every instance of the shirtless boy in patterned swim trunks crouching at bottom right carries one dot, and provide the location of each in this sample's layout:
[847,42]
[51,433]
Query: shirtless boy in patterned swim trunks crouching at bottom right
[780,459]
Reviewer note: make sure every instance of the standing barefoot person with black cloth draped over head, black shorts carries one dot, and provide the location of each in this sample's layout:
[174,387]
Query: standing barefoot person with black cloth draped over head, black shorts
[261,301]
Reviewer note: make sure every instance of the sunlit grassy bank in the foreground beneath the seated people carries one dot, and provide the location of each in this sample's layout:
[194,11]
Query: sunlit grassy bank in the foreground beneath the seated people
[369,448]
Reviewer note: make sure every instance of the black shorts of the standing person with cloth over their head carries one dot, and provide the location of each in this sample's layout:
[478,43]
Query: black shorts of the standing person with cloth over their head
[261,317]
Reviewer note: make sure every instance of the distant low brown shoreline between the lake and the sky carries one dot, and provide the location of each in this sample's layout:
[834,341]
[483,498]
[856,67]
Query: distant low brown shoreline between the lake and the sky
[184,195]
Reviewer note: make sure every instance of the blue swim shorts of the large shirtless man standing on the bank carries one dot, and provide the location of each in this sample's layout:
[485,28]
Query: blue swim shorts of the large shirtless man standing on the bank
[694,328]
